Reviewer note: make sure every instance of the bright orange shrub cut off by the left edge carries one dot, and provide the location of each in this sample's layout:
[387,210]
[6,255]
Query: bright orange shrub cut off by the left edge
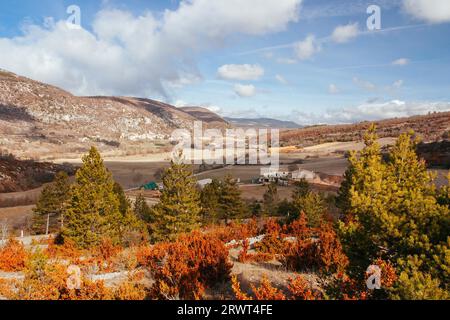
[12,256]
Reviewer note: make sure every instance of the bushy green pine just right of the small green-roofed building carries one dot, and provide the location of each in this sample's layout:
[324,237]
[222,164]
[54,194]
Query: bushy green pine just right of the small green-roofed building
[179,208]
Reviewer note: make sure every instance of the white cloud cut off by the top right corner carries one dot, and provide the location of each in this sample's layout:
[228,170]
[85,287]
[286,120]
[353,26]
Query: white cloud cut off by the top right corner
[432,11]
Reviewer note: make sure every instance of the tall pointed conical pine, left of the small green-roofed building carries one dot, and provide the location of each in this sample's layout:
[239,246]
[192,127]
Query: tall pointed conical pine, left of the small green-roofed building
[93,209]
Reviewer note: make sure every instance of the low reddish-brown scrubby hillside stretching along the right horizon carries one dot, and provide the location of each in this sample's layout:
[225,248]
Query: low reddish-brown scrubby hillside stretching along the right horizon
[431,127]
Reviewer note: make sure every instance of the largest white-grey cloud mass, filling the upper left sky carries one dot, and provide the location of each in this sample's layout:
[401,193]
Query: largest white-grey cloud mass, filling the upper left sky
[141,55]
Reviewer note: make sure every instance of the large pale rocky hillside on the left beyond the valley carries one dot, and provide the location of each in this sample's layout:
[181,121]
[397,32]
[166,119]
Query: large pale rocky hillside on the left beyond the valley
[38,120]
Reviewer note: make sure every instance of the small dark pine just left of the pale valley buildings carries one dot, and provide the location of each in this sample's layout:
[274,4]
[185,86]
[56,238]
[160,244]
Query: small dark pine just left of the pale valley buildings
[231,204]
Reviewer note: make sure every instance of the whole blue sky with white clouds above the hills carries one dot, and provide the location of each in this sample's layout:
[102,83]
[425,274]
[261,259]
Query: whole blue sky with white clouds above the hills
[308,61]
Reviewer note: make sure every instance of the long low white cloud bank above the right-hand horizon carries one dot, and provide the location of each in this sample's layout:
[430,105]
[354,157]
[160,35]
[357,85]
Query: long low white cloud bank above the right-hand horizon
[372,112]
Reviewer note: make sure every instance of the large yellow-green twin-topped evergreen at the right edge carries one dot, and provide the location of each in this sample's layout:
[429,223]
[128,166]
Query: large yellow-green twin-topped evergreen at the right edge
[394,215]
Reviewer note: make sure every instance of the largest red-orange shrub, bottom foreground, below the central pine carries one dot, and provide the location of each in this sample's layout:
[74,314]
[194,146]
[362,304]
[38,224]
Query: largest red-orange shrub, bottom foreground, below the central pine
[184,268]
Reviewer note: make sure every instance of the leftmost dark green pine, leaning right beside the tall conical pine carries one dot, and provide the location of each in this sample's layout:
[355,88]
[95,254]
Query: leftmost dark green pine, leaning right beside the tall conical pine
[51,205]
